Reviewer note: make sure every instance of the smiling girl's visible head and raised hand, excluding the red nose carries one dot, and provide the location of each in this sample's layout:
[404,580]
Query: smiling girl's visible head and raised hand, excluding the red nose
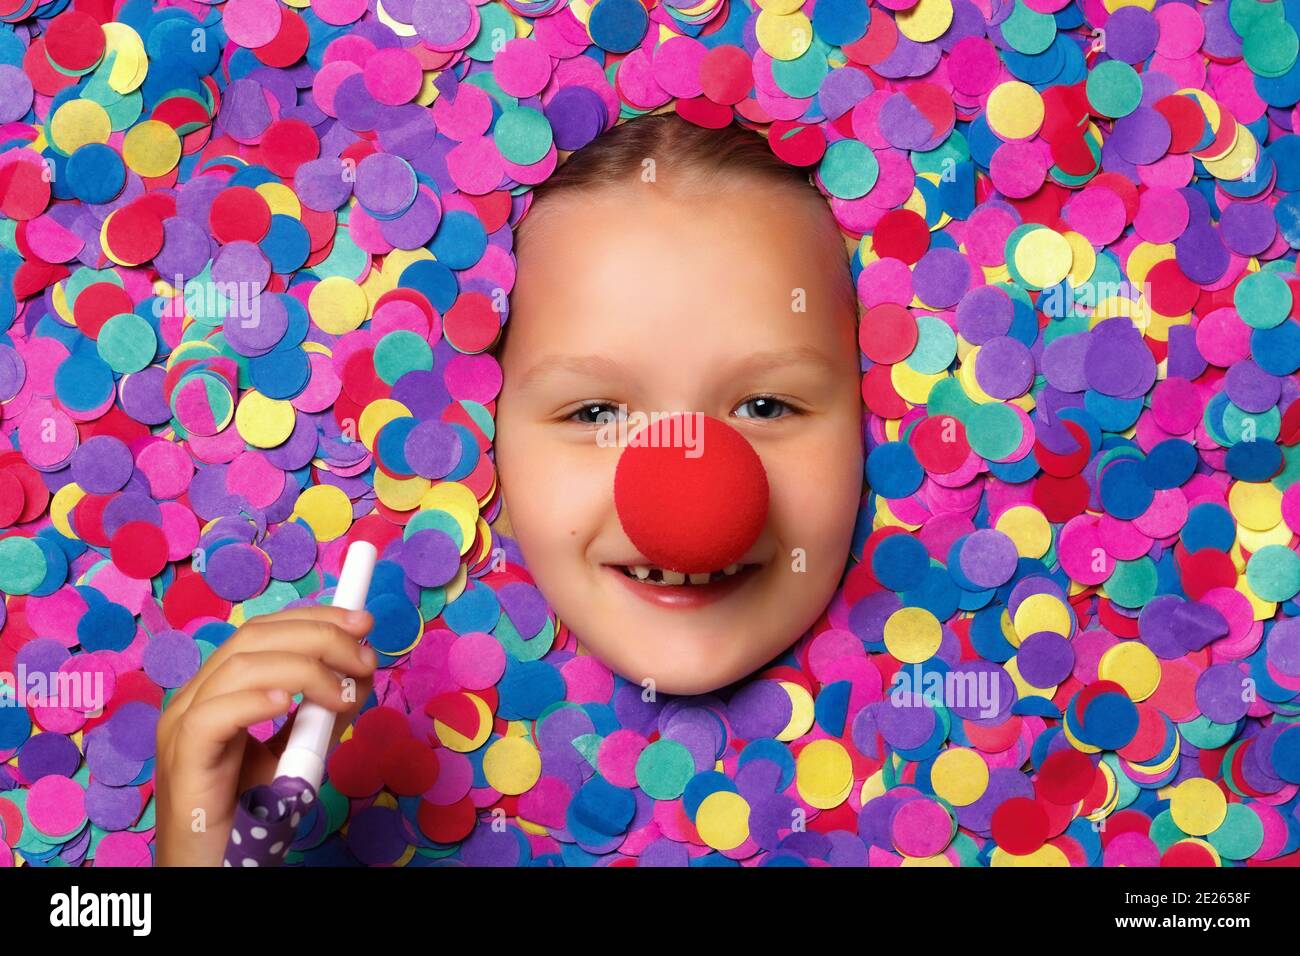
[664,269]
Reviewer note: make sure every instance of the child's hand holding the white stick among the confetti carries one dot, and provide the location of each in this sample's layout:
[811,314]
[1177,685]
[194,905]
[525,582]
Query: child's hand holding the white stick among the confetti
[206,758]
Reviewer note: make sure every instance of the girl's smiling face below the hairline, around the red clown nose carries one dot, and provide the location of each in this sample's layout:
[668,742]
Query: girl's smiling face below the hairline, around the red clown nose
[668,304]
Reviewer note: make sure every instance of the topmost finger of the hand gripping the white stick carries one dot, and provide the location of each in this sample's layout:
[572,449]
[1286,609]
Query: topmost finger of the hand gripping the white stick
[314,635]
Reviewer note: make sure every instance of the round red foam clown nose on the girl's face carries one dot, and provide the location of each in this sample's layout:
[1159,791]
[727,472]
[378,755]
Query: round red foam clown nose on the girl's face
[691,494]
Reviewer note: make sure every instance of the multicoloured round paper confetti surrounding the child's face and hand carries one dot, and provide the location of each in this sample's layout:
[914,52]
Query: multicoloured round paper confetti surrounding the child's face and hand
[252,259]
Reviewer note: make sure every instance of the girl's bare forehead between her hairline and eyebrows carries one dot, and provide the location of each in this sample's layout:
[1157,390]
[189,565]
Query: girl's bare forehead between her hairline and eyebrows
[632,270]
